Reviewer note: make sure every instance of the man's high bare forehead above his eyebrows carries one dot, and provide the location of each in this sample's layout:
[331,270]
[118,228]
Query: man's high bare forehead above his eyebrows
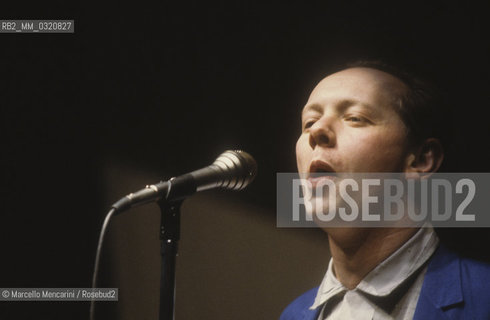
[366,85]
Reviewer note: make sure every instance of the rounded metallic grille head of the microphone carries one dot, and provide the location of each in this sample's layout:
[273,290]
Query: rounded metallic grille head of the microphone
[240,168]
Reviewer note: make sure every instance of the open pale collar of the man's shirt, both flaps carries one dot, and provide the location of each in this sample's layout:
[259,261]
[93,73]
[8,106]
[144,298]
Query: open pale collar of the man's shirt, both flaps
[390,273]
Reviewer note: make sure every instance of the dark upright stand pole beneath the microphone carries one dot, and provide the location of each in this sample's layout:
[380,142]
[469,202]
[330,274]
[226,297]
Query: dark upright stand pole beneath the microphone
[169,237]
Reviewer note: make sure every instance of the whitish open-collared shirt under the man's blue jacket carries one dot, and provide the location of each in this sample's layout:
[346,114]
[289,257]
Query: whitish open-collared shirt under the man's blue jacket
[389,291]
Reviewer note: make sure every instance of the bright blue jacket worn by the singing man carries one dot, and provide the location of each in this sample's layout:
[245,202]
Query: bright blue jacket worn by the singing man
[453,288]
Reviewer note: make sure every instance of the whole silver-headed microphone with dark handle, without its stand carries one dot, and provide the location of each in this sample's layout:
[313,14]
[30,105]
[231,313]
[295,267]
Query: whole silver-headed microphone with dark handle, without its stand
[233,169]
